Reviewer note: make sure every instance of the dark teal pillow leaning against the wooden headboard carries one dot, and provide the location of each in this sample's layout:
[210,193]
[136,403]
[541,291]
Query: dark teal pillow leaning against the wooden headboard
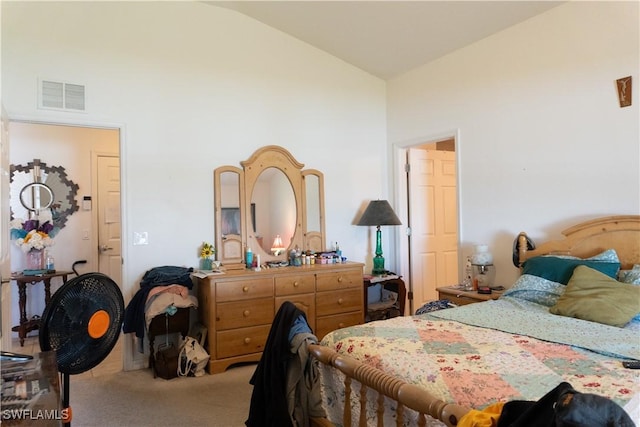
[559,270]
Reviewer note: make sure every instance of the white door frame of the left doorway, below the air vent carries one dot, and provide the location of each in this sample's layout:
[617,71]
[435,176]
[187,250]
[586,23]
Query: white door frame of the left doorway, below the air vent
[51,120]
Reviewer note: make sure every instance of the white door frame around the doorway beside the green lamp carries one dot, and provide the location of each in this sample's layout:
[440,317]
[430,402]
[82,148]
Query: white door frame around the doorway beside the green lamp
[401,201]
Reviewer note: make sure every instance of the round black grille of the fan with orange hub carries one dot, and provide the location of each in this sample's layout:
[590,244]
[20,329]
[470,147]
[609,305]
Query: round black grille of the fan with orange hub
[65,322]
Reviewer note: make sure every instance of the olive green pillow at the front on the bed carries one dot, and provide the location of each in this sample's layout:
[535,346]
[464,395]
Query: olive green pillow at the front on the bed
[591,295]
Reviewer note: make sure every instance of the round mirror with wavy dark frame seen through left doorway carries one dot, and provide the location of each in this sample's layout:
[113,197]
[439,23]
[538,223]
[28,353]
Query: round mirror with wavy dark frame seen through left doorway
[43,191]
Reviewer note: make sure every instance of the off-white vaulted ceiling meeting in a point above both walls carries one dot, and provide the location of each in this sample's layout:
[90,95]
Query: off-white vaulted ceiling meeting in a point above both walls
[388,38]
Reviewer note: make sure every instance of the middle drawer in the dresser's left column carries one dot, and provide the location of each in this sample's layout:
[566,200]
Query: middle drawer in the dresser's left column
[238,314]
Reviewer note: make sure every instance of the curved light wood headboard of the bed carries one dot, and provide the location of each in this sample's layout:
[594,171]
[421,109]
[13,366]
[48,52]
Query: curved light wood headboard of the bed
[621,232]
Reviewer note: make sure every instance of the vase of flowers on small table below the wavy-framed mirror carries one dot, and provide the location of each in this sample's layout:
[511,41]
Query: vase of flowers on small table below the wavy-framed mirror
[32,238]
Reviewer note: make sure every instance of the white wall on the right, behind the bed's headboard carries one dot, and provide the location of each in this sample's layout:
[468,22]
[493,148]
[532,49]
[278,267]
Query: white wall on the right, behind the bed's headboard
[543,143]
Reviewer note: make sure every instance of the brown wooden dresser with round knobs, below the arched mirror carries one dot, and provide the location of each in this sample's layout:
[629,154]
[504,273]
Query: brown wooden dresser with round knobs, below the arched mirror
[238,307]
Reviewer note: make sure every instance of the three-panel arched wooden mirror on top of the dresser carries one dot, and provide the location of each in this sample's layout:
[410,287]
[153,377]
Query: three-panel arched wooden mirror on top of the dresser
[270,205]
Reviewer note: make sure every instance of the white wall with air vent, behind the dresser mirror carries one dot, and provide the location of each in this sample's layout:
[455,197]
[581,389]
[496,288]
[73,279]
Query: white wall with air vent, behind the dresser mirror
[194,87]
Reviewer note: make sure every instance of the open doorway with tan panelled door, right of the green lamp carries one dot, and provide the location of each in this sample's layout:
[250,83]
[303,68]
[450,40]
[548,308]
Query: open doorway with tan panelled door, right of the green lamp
[428,199]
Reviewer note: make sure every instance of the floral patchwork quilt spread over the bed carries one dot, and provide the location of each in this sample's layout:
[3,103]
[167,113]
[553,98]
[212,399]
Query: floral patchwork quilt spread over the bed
[475,366]
